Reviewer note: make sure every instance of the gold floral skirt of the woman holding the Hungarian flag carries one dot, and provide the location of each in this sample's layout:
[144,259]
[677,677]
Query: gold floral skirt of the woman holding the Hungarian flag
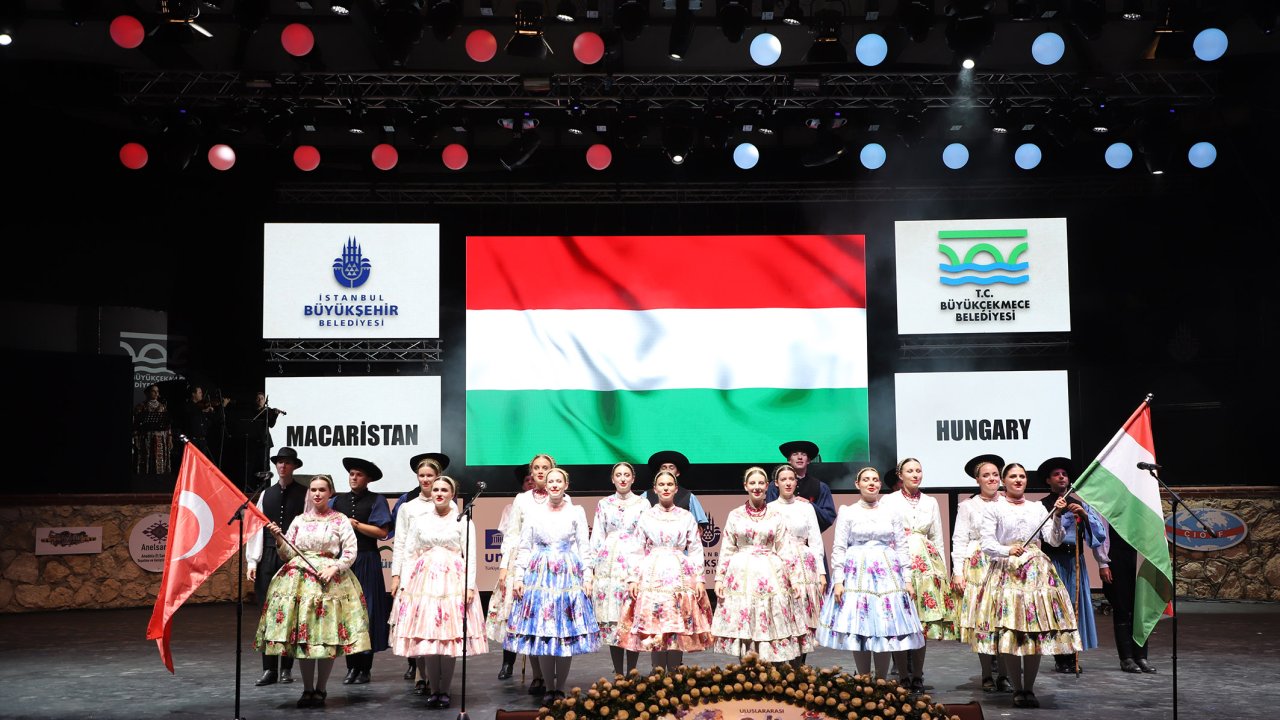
[1023,609]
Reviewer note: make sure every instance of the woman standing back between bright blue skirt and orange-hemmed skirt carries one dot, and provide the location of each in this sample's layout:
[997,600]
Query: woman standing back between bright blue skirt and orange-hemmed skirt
[615,552]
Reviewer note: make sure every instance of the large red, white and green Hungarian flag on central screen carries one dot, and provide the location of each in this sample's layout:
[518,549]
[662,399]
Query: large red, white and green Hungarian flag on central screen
[605,349]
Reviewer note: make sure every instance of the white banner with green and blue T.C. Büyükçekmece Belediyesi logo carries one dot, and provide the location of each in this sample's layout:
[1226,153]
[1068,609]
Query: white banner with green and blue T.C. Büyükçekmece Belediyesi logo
[1000,276]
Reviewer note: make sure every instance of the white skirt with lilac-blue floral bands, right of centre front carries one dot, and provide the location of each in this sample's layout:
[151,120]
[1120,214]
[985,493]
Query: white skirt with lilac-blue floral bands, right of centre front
[876,613]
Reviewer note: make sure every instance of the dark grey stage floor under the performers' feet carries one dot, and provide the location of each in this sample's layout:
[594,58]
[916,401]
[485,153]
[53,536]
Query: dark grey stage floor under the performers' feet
[97,664]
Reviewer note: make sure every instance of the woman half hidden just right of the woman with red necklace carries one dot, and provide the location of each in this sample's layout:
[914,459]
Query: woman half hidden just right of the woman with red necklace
[804,557]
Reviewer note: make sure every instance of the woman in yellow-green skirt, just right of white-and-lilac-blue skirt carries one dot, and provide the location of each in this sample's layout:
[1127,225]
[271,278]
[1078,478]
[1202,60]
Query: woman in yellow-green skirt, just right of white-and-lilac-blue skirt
[931,590]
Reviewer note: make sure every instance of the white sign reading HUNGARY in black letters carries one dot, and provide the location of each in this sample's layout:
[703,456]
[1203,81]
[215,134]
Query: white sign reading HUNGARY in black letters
[945,420]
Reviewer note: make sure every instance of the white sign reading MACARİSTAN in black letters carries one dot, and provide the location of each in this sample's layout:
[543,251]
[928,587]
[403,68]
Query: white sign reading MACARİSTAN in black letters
[383,420]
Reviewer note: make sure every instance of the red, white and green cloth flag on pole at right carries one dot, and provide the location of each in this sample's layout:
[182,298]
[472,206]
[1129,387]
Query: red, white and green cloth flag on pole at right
[1130,499]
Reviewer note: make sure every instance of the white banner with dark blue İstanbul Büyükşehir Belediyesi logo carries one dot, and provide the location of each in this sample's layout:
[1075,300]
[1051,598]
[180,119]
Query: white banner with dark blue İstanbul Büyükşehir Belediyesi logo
[351,281]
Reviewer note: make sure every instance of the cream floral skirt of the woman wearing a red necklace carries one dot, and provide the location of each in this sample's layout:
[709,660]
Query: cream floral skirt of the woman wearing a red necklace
[758,612]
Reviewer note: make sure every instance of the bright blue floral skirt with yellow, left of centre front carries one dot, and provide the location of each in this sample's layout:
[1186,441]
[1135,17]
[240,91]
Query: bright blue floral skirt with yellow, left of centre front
[555,614]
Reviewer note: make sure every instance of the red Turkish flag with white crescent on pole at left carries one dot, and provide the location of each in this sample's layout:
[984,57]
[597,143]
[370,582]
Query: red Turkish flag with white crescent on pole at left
[200,539]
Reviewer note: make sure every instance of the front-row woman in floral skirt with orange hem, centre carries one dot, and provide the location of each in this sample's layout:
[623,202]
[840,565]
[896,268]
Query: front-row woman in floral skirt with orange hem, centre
[668,612]
